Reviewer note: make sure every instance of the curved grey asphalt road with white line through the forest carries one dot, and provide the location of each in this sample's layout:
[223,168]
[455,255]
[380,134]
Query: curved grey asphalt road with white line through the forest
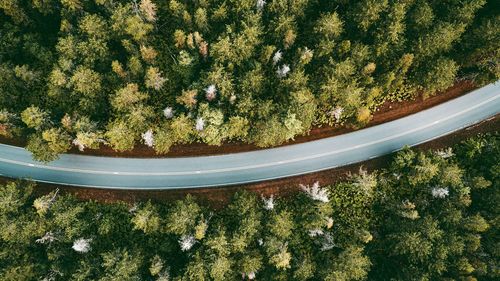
[239,168]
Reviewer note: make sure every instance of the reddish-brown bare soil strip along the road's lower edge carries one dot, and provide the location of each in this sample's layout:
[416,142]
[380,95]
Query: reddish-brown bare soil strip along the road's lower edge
[219,196]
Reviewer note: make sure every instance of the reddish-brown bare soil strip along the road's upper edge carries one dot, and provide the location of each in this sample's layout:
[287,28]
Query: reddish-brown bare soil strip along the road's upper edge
[387,112]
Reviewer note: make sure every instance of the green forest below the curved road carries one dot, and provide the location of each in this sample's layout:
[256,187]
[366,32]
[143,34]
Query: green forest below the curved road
[430,215]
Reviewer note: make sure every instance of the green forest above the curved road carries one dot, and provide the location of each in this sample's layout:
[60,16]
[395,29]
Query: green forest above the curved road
[82,74]
